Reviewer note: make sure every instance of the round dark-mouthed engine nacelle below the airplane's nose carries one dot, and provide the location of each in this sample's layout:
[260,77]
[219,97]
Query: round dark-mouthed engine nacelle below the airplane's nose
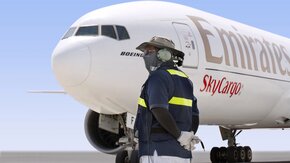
[102,140]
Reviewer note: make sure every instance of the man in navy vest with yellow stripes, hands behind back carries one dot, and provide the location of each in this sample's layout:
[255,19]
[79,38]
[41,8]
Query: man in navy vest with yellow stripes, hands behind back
[167,115]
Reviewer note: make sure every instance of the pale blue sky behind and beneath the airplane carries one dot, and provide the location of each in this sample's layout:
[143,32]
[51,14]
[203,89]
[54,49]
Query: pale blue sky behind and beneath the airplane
[29,31]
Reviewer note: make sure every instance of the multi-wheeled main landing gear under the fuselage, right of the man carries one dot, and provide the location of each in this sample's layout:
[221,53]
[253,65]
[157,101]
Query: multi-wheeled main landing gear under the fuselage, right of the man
[232,153]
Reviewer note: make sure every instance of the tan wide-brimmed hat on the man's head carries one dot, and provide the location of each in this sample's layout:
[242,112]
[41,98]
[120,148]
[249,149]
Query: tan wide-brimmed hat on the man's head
[161,42]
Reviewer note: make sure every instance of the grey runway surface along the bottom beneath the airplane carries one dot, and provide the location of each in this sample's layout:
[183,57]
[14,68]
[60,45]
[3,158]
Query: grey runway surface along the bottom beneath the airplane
[96,157]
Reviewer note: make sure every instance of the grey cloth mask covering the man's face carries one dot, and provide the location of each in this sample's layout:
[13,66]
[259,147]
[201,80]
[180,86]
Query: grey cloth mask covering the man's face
[151,62]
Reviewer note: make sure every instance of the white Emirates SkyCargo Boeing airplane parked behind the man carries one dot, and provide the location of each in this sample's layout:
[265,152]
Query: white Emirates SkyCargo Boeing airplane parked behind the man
[241,74]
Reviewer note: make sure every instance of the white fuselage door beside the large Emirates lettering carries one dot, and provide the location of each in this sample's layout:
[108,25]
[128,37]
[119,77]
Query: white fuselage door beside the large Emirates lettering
[188,45]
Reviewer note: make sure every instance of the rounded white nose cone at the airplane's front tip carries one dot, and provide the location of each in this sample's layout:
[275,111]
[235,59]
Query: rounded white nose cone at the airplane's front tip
[71,62]
